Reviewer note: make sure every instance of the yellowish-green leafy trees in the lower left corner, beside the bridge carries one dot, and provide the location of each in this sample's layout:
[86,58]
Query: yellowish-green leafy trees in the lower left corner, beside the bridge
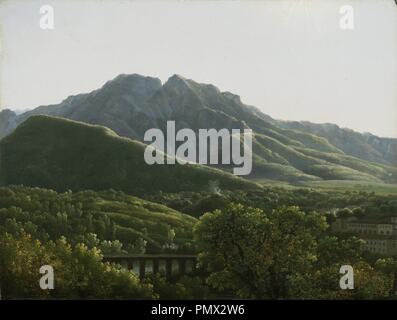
[78,271]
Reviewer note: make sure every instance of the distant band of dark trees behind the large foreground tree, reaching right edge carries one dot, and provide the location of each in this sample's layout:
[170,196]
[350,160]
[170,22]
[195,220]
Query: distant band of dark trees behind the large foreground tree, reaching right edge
[368,204]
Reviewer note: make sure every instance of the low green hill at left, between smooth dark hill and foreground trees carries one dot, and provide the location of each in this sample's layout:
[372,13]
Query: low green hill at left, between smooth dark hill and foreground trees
[94,218]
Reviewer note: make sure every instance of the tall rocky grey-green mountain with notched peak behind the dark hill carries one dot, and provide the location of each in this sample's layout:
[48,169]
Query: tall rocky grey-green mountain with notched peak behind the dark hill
[132,104]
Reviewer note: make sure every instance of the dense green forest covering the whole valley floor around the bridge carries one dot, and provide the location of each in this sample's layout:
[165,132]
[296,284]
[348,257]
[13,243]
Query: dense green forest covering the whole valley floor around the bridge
[273,243]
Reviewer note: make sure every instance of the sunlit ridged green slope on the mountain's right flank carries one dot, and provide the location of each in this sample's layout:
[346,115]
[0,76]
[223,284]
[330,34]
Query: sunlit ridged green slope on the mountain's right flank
[293,155]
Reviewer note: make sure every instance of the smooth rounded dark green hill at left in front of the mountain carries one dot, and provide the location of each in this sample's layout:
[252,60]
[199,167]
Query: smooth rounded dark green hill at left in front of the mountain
[62,154]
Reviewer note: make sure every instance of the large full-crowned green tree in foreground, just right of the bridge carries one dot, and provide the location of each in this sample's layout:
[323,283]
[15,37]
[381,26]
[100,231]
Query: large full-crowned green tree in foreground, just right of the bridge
[256,255]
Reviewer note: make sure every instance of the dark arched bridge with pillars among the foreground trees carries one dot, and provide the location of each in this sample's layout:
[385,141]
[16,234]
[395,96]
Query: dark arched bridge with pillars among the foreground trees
[169,264]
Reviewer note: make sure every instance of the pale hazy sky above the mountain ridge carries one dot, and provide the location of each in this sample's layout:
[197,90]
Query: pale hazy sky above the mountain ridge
[289,58]
